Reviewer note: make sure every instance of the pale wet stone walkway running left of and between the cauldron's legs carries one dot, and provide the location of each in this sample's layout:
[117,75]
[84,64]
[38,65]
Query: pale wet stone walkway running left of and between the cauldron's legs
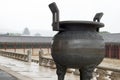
[30,71]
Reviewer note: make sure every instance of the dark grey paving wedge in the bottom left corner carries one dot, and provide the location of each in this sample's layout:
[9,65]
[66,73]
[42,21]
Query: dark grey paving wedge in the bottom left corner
[6,76]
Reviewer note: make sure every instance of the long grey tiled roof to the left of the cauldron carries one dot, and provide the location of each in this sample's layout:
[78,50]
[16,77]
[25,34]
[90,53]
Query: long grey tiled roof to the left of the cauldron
[25,39]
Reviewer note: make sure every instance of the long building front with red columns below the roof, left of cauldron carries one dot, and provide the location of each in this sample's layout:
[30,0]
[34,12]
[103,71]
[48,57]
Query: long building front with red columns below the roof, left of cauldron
[24,47]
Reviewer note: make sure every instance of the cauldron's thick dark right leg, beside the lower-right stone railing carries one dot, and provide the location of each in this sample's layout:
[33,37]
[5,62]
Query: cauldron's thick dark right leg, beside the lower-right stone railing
[86,72]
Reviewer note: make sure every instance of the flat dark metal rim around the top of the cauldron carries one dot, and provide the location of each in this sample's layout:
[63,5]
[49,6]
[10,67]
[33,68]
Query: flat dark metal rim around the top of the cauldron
[92,23]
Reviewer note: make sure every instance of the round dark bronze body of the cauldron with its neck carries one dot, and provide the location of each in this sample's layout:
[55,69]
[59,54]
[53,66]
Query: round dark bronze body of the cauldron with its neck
[78,45]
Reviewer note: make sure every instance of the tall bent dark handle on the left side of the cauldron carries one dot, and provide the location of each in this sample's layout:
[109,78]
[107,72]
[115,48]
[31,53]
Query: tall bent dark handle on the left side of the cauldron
[55,11]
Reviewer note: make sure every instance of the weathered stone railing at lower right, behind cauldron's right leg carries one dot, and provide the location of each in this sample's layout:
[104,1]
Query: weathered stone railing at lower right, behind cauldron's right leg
[103,74]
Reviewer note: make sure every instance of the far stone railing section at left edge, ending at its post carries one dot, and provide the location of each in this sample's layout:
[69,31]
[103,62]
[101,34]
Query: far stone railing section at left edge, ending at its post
[19,56]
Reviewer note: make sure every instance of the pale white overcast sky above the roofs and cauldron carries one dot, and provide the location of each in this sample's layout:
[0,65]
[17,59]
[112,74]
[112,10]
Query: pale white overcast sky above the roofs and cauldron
[15,15]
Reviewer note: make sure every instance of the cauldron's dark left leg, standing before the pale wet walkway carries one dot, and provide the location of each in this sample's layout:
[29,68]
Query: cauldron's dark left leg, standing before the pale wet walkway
[61,70]
